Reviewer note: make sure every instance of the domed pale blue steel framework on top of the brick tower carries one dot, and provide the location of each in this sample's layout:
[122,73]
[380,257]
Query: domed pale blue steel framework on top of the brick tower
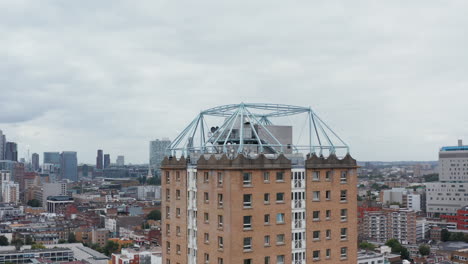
[257,128]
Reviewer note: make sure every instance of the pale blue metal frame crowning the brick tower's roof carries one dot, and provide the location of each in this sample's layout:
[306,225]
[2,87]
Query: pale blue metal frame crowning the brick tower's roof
[197,138]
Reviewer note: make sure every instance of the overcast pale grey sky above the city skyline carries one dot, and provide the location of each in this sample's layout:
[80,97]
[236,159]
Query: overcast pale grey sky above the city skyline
[390,78]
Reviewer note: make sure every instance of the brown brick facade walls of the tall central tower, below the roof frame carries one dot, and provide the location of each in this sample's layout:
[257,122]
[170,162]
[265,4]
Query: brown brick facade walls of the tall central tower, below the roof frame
[257,194]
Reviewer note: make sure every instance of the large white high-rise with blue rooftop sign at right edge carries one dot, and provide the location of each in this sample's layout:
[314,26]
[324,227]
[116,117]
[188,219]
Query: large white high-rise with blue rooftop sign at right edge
[451,192]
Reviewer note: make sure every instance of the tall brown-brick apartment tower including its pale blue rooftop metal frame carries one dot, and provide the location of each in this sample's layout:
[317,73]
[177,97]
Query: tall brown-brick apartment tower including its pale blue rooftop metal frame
[254,201]
